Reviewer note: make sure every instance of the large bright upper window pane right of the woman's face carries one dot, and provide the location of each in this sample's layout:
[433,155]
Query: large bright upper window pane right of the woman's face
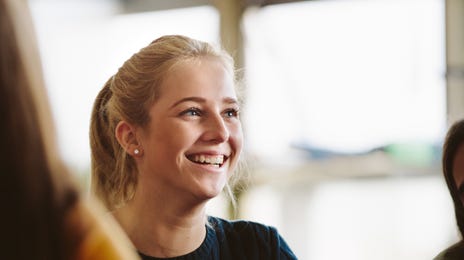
[344,75]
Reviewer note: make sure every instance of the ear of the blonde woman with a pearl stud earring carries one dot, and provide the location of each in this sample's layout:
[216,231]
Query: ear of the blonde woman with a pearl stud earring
[126,135]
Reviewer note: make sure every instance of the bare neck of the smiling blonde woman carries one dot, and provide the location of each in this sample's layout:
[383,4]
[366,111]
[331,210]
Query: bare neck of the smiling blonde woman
[163,226]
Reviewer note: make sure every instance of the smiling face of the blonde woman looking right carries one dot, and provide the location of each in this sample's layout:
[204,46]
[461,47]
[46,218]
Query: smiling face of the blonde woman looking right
[194,138]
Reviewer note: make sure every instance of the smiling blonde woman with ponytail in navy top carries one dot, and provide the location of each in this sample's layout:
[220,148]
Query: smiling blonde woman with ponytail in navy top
[165,138]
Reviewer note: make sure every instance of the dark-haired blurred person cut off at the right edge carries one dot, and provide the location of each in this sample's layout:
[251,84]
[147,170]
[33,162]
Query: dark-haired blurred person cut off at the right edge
[453,170]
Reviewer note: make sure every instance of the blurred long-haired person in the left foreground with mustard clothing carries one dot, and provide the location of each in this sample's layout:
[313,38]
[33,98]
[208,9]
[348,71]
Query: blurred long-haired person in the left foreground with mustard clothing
[43,214]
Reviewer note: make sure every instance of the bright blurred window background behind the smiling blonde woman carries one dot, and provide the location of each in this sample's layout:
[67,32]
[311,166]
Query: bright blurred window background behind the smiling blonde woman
[347,105]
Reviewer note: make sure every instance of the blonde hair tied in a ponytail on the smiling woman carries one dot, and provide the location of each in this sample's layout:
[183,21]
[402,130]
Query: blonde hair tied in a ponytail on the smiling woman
[128,95]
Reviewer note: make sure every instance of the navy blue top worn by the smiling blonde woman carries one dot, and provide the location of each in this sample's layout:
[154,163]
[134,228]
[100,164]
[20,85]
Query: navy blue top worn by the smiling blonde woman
[238,240]
